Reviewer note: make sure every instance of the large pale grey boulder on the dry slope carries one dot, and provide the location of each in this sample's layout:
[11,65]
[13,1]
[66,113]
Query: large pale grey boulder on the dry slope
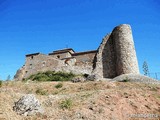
[27,105]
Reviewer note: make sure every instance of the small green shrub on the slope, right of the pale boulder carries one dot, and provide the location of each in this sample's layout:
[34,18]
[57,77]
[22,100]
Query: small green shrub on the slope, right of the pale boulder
[66,104]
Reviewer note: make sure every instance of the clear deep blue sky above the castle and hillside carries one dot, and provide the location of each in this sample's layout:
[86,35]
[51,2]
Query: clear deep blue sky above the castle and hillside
[29,26]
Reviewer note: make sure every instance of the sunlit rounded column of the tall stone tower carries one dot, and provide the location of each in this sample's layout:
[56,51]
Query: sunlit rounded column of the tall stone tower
[126,59]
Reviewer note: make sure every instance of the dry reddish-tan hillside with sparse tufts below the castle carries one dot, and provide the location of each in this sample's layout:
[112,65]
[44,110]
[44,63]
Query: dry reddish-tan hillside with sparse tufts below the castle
[102,100]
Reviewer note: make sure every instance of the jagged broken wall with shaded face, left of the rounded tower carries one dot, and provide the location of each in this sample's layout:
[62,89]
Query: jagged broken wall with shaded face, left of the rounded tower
[104,66]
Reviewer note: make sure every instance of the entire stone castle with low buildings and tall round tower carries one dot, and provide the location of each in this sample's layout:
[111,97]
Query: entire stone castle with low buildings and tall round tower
[115,56]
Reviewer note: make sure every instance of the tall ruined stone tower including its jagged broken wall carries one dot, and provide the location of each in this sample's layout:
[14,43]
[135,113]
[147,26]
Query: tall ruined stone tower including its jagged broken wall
[116,54]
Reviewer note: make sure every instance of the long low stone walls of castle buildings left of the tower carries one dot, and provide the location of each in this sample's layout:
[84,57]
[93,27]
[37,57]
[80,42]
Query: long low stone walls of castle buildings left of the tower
[79,64]
